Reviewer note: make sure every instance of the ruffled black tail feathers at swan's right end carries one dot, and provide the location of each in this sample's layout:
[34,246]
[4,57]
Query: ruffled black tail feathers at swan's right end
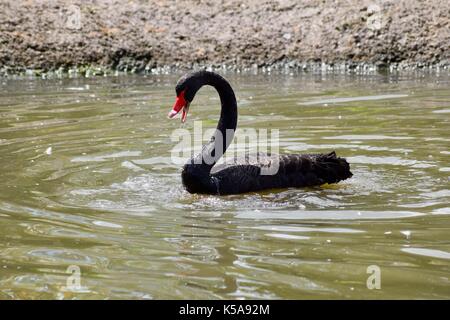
[332,169]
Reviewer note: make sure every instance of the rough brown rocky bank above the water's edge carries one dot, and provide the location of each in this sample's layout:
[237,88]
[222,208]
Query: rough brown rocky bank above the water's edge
[142,35]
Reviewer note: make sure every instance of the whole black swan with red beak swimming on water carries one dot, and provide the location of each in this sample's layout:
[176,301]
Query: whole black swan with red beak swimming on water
[200,175]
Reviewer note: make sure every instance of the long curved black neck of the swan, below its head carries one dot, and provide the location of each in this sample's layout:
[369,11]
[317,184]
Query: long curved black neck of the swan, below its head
[199,167]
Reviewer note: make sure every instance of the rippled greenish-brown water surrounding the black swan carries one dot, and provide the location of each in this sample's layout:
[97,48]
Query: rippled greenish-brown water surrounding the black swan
[86,180]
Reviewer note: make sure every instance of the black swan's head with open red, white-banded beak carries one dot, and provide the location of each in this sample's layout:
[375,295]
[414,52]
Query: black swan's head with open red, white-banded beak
[186,89]
